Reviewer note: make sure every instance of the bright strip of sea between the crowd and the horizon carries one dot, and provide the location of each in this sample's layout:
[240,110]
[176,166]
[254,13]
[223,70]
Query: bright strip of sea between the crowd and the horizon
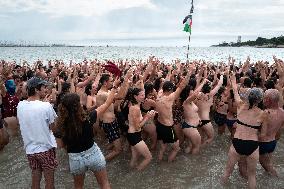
[77,54]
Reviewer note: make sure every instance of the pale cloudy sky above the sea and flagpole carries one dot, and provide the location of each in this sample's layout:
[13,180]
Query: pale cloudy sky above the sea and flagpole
[138,22]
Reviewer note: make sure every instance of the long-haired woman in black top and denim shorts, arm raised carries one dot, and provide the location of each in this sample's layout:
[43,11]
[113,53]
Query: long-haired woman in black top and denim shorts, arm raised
[76,132]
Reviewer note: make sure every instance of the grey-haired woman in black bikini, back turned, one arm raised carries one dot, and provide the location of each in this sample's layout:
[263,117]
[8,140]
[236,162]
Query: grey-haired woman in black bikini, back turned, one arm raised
[245,141]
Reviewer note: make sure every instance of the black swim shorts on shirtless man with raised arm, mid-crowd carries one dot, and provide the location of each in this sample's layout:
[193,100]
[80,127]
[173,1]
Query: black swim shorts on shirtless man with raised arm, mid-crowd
[166,133]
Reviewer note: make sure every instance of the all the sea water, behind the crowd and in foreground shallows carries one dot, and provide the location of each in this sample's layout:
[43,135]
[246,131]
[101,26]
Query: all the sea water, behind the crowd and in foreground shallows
[188,171]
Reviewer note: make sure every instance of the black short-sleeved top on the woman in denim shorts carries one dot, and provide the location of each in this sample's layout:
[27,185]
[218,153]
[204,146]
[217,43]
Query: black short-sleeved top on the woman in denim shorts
[86,140]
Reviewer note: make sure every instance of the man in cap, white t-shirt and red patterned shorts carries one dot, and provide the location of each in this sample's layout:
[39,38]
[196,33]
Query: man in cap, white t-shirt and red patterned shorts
[37,121]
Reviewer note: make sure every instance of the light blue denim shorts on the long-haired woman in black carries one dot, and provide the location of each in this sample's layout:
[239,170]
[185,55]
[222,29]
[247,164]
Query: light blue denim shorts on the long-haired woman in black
[92,159]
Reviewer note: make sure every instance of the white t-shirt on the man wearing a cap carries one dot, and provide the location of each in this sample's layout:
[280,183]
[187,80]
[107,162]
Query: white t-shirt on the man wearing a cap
[34,119]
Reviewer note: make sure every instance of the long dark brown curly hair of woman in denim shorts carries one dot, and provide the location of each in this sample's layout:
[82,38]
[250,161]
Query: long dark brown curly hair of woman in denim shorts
[71,116]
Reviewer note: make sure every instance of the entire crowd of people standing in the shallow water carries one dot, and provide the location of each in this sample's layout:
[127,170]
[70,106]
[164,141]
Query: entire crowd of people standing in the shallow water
[147,106]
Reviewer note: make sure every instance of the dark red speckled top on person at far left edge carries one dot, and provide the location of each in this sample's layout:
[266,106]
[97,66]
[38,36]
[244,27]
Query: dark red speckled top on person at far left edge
[9,105]
